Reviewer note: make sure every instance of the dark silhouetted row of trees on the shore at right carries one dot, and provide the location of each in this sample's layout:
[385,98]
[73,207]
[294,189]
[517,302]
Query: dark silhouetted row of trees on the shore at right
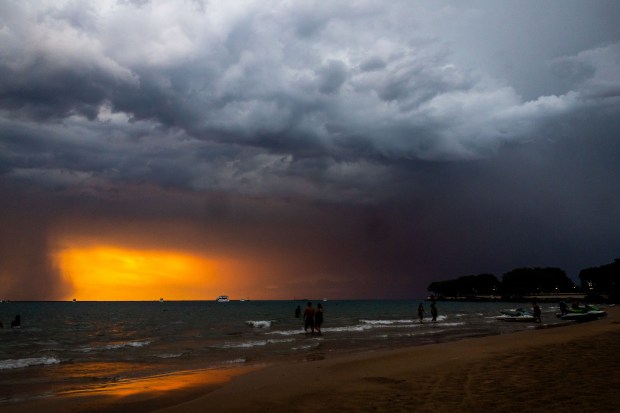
[603,281]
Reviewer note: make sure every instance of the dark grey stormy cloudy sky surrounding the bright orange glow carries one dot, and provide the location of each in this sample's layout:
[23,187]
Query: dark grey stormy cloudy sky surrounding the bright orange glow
[355,149]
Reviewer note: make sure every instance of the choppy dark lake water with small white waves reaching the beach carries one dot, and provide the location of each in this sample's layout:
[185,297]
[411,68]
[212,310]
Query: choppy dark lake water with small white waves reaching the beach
[72,345]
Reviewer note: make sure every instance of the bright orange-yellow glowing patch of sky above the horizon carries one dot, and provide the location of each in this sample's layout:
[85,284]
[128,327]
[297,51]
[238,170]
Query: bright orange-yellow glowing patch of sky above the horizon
[102,273]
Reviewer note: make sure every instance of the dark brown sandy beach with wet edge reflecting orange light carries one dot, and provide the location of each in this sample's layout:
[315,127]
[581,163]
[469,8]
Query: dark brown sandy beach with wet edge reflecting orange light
[569,368]
